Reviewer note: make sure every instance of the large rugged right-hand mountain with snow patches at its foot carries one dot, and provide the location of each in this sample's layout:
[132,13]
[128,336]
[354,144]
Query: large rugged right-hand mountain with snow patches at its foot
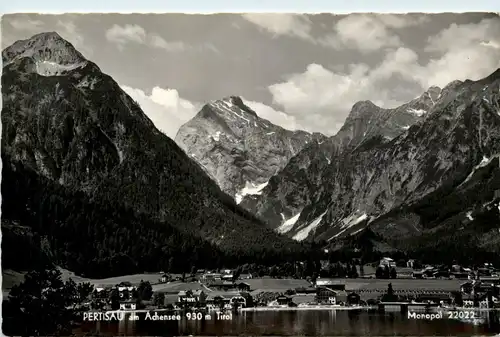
[384,165]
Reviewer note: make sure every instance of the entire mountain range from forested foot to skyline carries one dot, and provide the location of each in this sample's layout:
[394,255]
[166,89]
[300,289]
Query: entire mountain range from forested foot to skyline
[88,177]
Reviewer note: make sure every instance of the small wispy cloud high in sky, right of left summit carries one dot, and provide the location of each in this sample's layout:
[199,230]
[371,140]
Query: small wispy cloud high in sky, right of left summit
[123,35]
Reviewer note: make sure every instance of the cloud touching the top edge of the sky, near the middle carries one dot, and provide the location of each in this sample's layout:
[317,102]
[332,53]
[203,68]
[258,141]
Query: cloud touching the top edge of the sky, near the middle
[296,25]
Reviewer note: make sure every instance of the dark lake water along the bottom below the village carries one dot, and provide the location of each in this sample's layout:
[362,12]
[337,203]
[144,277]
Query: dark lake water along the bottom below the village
[305,323]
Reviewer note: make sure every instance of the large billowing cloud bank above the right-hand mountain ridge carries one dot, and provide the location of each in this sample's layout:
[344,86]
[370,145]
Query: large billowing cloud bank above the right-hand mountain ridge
[320,98]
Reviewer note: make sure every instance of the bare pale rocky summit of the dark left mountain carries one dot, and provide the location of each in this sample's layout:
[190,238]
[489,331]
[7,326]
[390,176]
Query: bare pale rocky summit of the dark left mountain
[48,50]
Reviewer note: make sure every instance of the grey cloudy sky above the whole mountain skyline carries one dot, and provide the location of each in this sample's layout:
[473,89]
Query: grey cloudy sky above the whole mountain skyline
[296,70]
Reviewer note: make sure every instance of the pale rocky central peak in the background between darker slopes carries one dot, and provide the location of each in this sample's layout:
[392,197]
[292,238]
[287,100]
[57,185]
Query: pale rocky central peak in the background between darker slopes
[240,150]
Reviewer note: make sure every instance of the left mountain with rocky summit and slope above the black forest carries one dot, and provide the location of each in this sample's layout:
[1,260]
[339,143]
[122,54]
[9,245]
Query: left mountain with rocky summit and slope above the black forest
[69,123]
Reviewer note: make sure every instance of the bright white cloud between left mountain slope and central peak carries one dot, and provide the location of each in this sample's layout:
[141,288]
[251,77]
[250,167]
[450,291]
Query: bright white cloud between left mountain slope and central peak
[164,107]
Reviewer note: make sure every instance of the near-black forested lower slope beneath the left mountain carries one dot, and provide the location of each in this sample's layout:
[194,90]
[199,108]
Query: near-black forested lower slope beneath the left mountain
[103,239]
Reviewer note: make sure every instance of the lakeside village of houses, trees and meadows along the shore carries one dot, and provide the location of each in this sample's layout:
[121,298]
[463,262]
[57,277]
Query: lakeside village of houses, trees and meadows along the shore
[387,286]
